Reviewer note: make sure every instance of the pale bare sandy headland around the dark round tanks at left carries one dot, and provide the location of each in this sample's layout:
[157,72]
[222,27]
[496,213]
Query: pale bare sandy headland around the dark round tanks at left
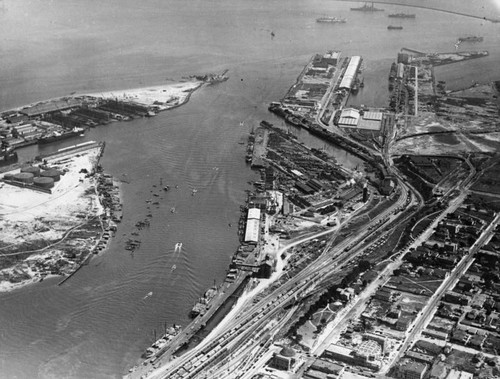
[51,234]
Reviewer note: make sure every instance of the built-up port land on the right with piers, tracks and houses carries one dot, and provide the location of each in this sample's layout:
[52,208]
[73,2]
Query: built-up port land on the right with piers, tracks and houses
[348,271]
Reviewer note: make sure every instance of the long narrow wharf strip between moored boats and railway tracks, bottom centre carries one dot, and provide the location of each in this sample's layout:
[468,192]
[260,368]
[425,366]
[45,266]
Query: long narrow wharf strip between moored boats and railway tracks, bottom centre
[184,337]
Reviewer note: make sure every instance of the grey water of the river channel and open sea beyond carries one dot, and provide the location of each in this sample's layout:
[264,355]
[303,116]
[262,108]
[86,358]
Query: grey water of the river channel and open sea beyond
[99,322]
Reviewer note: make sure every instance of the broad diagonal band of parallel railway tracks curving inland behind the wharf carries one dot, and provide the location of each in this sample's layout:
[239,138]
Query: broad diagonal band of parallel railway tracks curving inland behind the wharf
[254,318]
